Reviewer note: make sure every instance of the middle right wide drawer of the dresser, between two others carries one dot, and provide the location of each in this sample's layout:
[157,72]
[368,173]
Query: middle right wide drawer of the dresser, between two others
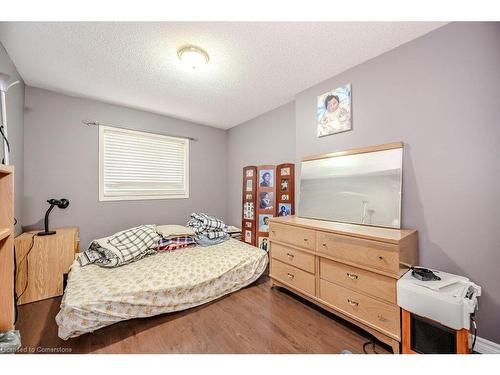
[359,280]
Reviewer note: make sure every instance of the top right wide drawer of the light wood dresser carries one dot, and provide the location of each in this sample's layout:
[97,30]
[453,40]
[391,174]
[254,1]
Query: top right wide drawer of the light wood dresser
[378,255]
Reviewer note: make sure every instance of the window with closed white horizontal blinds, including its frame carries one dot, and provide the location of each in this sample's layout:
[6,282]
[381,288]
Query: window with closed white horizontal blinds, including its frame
[137,165]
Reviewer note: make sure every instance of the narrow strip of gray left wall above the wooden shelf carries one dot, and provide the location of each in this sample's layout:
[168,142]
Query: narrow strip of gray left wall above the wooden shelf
[15,119]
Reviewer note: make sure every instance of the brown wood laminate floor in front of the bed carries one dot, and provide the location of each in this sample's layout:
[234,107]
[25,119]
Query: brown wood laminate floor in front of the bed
[256,319]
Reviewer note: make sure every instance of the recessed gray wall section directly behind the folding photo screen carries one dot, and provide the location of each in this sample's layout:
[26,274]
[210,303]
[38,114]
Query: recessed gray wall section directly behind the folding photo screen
[267,139]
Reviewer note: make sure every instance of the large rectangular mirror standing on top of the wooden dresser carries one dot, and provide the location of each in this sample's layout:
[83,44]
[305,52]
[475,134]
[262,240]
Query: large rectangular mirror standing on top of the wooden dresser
[361,186]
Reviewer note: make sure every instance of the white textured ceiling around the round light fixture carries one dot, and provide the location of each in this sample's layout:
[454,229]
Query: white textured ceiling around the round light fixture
[254,67]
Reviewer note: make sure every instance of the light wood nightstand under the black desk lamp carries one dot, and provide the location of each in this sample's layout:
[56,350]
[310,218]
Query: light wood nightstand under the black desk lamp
[46,264]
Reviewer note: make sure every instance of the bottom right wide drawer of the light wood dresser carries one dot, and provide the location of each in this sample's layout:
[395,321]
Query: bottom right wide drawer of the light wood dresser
[379,314]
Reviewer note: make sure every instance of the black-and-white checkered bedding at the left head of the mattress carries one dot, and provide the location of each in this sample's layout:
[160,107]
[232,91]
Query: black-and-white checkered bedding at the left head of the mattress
[123,247]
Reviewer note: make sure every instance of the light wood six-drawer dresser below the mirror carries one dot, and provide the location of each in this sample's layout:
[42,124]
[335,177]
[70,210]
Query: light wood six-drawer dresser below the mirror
[348,269]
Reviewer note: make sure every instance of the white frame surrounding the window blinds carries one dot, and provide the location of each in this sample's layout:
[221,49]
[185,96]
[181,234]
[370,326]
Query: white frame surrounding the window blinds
[104,198]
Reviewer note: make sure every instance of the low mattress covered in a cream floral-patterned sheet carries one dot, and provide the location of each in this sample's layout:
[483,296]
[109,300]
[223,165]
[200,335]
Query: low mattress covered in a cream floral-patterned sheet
[97,297]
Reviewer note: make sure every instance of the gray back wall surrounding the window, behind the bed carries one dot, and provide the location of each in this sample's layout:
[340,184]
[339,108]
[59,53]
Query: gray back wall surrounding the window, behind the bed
[61,160]
